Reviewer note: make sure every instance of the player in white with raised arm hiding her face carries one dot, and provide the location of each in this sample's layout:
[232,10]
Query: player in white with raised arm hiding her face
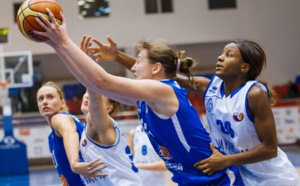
[103,140]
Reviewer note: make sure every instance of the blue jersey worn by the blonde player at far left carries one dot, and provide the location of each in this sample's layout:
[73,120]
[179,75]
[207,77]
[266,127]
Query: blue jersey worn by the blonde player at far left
[59,156]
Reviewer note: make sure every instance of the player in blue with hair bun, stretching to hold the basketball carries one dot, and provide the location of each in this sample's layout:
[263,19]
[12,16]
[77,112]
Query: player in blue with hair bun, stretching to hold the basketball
[170,121]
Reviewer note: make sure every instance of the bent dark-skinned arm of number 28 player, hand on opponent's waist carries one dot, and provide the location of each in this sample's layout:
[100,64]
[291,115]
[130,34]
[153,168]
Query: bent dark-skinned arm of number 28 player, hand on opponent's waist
[264,123]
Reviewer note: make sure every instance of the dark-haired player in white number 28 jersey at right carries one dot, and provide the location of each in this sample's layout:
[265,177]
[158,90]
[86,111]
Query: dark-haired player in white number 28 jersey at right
[242,128]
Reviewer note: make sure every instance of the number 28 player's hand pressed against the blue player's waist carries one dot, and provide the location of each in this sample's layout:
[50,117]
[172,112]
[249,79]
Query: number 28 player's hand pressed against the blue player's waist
[212,164]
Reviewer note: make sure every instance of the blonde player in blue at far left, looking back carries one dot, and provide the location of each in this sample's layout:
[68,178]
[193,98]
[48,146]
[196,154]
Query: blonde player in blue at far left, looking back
[65,135]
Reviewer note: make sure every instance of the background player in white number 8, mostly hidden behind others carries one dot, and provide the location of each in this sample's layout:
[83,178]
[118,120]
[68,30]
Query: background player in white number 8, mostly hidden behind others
[151,167]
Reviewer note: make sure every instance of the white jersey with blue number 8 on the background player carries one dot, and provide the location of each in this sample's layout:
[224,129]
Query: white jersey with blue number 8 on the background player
[144,153]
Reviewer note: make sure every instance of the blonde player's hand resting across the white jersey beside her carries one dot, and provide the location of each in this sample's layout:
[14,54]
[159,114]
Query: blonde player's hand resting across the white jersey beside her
[89,170]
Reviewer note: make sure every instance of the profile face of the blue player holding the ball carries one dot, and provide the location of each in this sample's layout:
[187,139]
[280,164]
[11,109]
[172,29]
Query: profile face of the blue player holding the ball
[142,69]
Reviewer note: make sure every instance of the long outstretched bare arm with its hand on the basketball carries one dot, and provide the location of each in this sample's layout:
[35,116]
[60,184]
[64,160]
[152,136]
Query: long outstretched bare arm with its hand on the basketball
[95,78]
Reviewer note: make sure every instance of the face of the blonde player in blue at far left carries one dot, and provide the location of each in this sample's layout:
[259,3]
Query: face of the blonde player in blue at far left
[49,102]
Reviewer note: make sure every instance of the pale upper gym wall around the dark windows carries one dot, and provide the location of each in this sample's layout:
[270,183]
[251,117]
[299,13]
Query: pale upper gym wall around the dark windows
[273,23]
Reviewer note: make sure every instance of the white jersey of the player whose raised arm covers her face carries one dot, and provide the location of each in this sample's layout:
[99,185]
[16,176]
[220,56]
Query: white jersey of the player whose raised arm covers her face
[117,157]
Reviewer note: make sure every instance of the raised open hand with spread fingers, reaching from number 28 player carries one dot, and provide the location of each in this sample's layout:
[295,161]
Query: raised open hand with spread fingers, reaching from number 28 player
[105,51]
